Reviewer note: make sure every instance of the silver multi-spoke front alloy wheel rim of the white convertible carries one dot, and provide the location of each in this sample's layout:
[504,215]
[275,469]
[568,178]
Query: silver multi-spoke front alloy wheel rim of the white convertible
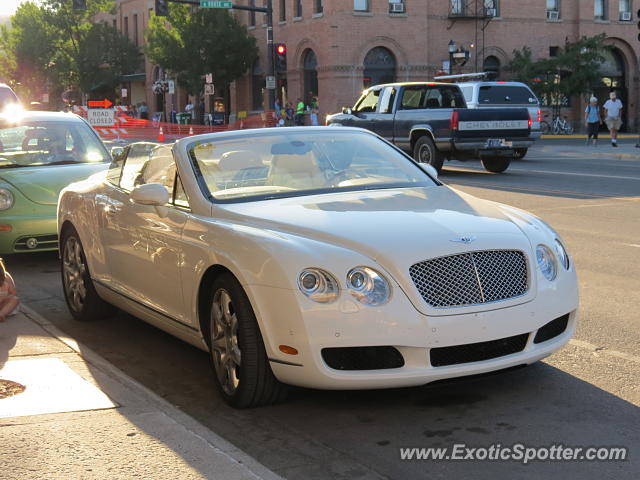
[224,342]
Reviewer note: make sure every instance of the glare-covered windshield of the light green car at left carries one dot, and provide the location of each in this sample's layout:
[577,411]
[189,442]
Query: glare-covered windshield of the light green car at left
[31,144]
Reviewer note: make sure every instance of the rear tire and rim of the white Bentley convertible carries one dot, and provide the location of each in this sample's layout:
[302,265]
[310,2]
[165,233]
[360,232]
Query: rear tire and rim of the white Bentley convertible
[83,301]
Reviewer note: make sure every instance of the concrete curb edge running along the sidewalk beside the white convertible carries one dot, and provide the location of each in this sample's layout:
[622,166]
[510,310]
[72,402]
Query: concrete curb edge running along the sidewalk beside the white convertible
[243,460]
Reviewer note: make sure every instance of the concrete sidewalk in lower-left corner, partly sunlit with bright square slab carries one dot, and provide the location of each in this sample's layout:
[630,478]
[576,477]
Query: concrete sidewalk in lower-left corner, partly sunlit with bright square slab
[80,417]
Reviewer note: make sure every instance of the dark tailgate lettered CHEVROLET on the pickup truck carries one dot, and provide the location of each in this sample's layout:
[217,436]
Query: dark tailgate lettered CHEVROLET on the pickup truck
[492,123]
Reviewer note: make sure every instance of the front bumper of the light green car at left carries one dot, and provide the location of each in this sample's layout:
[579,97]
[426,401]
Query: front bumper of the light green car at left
[41,228]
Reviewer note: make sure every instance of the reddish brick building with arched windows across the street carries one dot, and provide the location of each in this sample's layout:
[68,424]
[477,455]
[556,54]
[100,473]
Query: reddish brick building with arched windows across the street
[335,48]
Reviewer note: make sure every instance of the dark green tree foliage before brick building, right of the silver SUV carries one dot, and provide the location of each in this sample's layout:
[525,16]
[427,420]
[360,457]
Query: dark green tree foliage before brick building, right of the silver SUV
[574,71]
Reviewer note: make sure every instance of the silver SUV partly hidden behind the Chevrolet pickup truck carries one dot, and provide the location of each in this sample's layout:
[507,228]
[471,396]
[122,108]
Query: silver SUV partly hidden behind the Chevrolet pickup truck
[501,95]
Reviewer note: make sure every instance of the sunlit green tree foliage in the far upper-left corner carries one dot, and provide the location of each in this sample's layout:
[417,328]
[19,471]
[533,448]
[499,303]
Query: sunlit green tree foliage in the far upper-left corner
[53,44]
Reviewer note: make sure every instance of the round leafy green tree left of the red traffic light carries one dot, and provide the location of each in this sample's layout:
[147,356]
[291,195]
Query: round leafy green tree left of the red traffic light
[190,43]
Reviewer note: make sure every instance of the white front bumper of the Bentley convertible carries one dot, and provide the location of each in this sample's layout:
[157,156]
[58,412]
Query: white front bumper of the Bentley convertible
[399,325]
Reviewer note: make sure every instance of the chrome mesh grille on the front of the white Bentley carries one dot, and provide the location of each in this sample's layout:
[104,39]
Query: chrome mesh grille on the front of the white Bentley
[471,278]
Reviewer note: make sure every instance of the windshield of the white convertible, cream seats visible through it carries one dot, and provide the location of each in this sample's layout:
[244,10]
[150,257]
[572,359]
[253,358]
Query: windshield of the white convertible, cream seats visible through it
[286,163]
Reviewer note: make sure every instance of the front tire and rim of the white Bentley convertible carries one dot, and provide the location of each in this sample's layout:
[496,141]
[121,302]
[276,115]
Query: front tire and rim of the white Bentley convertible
[252,382]
